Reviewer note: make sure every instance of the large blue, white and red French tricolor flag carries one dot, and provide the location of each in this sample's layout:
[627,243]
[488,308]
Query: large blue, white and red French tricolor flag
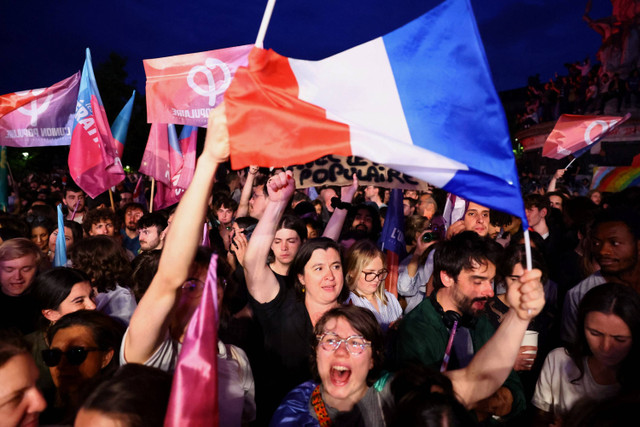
[419,100]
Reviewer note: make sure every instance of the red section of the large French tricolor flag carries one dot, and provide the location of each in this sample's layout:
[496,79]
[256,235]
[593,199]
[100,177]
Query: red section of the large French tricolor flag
[282,129]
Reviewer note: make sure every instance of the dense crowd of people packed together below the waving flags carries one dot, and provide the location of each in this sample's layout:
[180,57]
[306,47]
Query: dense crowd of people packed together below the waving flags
[308,333]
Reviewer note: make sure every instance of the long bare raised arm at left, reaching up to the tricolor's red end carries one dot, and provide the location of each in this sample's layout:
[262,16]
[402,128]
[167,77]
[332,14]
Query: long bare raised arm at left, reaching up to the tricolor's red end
[150,321]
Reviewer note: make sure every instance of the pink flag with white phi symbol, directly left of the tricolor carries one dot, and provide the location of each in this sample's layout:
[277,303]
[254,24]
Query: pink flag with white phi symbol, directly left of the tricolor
[183,89]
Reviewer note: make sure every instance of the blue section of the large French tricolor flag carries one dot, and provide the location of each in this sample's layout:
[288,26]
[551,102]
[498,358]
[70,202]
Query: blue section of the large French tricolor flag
[451,105]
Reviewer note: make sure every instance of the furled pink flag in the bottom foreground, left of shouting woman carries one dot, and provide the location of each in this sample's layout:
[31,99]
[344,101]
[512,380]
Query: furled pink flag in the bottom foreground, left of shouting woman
[194,392]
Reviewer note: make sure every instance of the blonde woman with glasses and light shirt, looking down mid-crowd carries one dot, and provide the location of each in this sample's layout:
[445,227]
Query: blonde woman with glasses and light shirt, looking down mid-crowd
[365,265]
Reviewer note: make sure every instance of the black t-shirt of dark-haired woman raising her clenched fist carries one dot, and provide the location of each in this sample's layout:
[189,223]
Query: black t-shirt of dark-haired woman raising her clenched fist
[288,332]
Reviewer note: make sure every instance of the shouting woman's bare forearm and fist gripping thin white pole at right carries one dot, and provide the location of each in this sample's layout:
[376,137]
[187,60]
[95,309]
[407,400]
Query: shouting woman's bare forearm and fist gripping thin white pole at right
[491,365]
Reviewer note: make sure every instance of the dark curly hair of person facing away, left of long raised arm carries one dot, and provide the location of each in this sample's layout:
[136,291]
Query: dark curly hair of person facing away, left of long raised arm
[104,261]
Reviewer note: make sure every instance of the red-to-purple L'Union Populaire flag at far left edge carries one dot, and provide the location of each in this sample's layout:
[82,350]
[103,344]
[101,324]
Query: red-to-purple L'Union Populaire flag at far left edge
[41,117]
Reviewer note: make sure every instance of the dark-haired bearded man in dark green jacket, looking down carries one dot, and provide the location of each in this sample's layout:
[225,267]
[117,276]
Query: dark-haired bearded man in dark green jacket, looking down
[464,270]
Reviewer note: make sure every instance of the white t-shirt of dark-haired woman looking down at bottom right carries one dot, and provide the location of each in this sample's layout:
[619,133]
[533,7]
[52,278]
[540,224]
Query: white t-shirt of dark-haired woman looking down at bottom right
[556,393]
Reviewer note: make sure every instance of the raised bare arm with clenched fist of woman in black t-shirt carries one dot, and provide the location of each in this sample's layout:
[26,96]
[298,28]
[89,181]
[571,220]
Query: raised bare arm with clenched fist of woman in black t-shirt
[261,282]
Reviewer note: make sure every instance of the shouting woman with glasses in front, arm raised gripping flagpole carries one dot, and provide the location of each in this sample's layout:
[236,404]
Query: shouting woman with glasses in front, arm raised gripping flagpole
[351,388]
